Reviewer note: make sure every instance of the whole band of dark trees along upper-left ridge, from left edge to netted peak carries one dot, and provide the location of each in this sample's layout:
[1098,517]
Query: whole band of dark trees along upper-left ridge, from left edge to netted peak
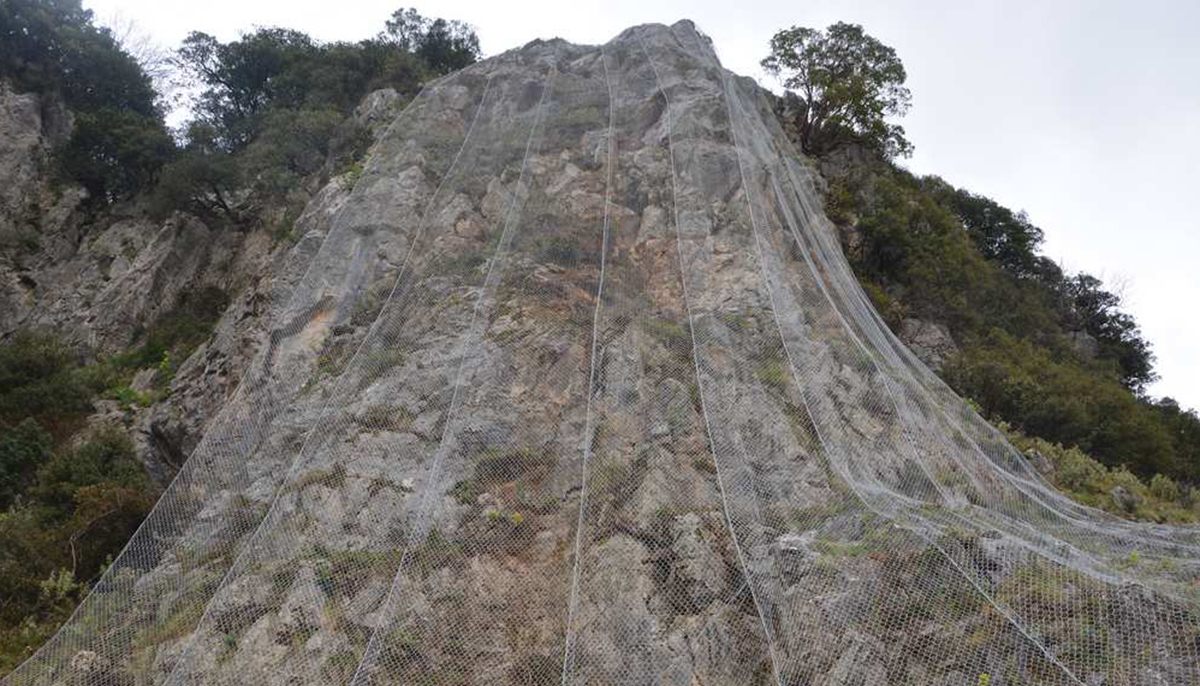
[273,107]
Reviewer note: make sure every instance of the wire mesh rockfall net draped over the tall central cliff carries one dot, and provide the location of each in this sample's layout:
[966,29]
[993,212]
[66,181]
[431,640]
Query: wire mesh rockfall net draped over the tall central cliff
[578,388]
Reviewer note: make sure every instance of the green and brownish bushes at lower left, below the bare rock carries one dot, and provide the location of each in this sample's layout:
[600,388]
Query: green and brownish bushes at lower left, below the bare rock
[71,497]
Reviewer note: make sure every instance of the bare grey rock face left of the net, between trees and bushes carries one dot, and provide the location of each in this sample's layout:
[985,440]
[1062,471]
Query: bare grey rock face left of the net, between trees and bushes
[99,279]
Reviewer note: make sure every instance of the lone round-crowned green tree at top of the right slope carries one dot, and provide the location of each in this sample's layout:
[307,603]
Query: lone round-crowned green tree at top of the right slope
[842,86]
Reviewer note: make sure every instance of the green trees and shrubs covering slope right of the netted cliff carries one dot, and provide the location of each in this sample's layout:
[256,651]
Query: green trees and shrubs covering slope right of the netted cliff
[1052,353]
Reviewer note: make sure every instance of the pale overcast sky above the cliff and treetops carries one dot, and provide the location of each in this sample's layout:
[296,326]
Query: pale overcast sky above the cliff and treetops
[1085,115]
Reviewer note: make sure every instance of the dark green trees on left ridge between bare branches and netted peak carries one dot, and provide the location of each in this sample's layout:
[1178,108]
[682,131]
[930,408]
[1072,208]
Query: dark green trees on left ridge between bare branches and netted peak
[274,107]
